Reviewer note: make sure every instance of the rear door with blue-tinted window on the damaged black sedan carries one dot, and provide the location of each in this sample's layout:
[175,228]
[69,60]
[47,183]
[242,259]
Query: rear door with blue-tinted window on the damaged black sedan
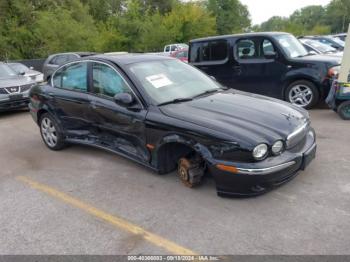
[70,97]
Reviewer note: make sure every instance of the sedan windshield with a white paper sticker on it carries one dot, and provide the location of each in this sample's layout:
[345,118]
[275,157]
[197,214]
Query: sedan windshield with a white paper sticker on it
[169,80]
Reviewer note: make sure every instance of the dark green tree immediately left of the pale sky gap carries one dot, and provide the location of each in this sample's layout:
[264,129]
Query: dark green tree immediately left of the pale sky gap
[231,16]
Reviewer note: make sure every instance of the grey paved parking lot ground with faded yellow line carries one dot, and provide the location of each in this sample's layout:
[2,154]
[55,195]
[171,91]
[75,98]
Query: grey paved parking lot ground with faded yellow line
[84,192]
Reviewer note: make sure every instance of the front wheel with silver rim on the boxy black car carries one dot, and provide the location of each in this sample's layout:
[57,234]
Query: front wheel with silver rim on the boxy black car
[302,93]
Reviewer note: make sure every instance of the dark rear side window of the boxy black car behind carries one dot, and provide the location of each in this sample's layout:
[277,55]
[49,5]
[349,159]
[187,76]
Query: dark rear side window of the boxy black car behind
[209,51]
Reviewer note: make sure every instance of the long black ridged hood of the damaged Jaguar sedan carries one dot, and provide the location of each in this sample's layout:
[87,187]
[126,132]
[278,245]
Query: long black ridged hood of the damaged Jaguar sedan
[246,118]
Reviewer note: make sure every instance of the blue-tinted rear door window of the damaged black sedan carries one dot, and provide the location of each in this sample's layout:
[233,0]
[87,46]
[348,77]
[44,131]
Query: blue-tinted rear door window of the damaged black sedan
[72,77]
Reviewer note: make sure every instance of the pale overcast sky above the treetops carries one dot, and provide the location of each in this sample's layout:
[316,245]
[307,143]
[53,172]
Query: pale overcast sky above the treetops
[262,10]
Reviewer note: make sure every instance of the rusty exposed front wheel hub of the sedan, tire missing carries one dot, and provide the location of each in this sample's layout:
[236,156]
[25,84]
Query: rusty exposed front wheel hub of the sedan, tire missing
[190,172]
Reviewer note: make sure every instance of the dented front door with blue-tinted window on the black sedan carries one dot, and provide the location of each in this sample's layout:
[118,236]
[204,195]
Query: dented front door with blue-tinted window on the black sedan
[117,127]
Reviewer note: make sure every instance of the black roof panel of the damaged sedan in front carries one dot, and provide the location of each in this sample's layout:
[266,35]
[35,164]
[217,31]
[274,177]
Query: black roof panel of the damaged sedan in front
[126,59]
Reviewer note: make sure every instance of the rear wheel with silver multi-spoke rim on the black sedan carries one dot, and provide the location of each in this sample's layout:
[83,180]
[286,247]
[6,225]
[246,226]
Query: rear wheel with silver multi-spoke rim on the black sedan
[50,133]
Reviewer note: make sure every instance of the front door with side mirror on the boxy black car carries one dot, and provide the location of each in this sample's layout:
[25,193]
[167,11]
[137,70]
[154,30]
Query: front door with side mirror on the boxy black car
[254,70]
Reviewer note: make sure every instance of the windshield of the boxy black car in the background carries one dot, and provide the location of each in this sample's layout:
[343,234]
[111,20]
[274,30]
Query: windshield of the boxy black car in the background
[291,46]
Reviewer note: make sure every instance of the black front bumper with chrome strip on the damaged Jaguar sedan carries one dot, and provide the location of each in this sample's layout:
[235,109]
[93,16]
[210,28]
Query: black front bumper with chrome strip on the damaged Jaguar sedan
[253,179]
